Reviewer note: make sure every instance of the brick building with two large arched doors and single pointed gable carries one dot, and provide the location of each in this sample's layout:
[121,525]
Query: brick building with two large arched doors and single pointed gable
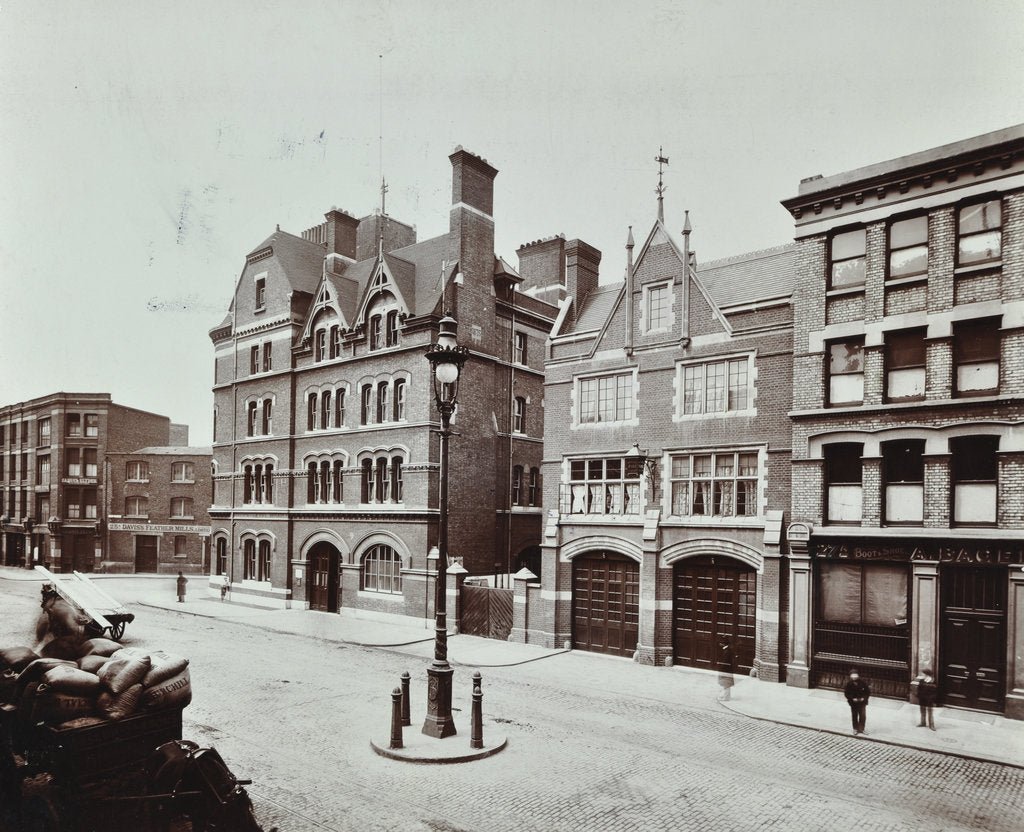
[667,465]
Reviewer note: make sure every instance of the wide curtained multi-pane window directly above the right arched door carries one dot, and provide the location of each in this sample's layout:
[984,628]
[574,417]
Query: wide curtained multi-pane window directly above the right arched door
[723,485]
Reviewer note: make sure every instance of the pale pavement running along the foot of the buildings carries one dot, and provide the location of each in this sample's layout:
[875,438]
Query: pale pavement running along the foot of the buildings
[965,734]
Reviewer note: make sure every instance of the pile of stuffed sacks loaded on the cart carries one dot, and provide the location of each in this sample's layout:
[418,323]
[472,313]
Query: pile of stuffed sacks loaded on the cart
[107,683]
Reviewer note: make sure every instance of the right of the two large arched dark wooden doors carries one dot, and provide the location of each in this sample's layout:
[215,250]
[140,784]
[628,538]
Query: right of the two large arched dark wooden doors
[714,600]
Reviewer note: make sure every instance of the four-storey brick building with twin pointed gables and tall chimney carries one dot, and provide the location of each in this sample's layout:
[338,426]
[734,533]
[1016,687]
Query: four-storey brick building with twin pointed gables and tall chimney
[326,454]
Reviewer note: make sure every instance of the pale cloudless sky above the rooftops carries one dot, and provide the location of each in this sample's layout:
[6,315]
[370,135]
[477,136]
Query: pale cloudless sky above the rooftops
[147,148]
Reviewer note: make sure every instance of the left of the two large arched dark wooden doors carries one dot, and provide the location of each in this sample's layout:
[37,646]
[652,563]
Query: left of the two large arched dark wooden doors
[606,604]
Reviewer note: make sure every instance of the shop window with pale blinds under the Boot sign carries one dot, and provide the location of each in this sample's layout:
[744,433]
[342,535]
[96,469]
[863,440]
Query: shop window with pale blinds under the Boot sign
[873,595]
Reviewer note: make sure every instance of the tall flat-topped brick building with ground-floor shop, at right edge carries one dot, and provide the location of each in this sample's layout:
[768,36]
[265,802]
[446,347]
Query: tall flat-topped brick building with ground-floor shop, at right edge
[908,440]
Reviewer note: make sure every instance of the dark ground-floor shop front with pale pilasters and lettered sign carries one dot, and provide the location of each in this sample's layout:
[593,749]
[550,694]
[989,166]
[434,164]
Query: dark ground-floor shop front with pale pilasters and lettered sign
[894,608]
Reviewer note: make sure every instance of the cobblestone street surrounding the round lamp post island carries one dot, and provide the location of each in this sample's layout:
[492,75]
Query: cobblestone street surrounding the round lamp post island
[296,716]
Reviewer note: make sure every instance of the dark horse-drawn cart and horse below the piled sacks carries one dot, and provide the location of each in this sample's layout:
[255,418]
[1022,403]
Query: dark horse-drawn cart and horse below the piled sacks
[133,774]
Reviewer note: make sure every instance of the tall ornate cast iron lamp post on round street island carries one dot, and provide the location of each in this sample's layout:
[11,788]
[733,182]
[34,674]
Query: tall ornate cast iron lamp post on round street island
[447,359]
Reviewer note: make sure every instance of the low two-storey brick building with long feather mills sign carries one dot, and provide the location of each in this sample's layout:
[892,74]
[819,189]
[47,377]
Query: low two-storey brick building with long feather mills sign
[158,519]
